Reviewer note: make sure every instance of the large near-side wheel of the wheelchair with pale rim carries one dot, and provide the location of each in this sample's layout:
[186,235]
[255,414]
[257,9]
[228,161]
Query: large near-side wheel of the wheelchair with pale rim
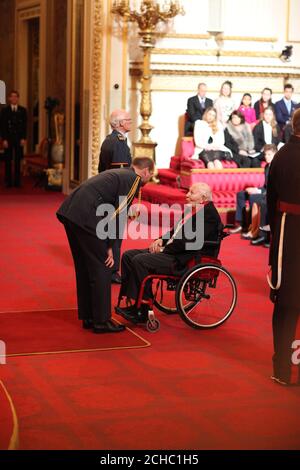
[206,296]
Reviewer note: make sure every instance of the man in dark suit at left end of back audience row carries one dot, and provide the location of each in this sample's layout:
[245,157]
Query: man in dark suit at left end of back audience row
[196,106]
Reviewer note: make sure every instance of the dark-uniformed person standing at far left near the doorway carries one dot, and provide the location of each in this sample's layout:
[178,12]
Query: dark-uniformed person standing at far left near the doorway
[13,132]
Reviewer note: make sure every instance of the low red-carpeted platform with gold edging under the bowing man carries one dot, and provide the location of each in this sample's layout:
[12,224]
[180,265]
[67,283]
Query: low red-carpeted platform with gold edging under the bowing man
[57,332]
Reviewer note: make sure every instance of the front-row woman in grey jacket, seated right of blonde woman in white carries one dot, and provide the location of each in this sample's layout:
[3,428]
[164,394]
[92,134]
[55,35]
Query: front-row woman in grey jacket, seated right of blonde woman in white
[239,138]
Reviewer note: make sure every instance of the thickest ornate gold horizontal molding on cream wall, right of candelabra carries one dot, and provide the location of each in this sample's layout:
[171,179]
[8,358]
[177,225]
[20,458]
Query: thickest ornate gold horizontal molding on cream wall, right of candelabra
[215,52]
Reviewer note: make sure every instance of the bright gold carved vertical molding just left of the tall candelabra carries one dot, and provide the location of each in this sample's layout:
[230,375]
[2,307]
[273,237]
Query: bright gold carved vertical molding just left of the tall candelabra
[96,83]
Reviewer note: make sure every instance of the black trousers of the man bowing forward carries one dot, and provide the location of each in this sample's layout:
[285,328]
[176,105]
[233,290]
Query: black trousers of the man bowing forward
[93,278]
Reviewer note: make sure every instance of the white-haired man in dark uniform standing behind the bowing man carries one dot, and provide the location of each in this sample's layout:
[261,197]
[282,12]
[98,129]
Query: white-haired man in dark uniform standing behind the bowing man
[115,153]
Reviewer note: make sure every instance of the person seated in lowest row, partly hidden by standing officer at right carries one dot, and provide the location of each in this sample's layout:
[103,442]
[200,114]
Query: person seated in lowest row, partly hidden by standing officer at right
[253,195]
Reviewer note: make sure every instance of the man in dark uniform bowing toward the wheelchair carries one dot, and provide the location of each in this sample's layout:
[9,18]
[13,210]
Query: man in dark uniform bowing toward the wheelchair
[91,216]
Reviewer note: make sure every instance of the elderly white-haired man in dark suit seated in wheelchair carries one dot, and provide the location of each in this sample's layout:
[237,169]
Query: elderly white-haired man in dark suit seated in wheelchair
[171,253]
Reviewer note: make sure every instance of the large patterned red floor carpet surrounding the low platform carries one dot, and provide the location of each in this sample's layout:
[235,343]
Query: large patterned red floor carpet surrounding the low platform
[189,390]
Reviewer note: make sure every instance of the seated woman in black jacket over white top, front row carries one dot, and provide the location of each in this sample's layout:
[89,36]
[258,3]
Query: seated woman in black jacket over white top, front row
[265,132]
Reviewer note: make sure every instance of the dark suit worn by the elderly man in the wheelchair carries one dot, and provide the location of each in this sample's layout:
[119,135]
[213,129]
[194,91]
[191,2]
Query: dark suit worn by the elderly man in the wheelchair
[137,264]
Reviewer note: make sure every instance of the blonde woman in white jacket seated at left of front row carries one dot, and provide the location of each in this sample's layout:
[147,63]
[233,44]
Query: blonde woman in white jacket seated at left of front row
[209,140]
